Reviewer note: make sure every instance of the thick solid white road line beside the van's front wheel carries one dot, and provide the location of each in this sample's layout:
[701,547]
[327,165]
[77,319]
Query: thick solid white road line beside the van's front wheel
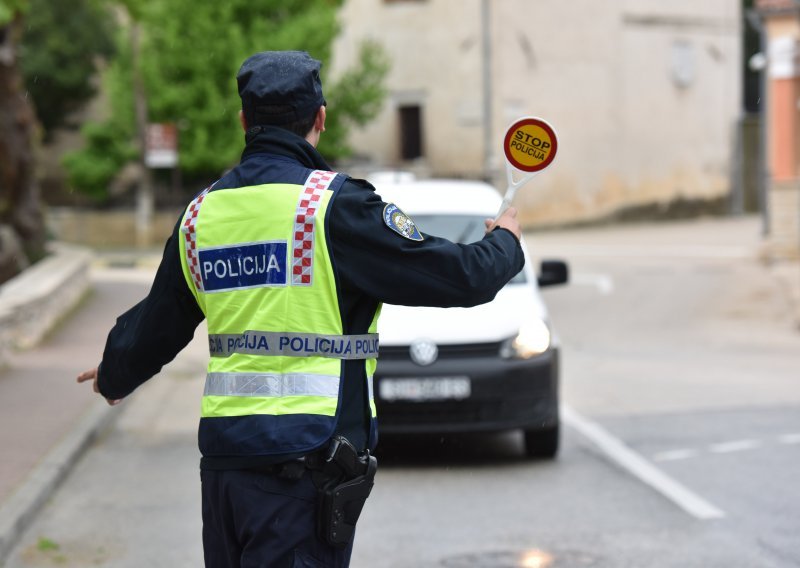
[640,468]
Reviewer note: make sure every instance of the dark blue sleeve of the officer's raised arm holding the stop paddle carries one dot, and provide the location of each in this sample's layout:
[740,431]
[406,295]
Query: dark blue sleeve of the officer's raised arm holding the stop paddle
[382,263]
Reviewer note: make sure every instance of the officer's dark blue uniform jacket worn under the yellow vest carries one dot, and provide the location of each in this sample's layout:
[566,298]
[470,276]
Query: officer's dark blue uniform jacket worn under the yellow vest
[372,264]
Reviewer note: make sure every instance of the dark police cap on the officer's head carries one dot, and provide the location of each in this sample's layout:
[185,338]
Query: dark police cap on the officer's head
[279,87]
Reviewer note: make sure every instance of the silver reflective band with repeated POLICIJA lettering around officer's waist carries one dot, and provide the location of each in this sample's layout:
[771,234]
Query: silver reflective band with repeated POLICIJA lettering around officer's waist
[294,344]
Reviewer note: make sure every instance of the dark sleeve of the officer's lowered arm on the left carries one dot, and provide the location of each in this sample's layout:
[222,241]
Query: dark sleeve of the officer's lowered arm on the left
[151,333]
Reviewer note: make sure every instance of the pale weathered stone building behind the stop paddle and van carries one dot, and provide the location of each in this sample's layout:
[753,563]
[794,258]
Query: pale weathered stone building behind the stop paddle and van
[645,96]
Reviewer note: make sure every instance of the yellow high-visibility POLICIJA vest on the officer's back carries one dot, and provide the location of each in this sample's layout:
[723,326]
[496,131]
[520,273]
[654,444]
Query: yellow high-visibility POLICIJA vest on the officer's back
[257,261]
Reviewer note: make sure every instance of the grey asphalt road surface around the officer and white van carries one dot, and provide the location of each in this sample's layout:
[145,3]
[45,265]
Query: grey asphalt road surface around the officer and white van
[681,448]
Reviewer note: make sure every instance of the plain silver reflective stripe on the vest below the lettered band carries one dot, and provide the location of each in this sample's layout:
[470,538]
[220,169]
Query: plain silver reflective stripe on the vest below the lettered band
[269,385]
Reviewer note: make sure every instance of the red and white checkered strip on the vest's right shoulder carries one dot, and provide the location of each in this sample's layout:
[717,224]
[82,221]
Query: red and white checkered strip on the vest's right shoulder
[304,222]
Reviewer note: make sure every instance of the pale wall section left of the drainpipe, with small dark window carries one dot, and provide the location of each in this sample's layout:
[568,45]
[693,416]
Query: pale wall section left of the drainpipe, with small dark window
[435,52]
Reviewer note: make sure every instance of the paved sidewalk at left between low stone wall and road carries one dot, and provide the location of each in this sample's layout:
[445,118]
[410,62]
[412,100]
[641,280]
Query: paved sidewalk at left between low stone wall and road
[46,419]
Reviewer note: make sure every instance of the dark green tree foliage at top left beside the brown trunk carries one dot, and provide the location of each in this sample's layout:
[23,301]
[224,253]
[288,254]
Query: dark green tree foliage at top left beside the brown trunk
[60,48]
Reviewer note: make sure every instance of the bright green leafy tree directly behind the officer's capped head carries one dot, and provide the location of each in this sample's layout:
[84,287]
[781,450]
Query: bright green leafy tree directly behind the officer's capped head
[188,57]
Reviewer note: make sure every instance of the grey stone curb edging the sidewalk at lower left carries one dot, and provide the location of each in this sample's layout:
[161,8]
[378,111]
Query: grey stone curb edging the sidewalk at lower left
[17,513]
